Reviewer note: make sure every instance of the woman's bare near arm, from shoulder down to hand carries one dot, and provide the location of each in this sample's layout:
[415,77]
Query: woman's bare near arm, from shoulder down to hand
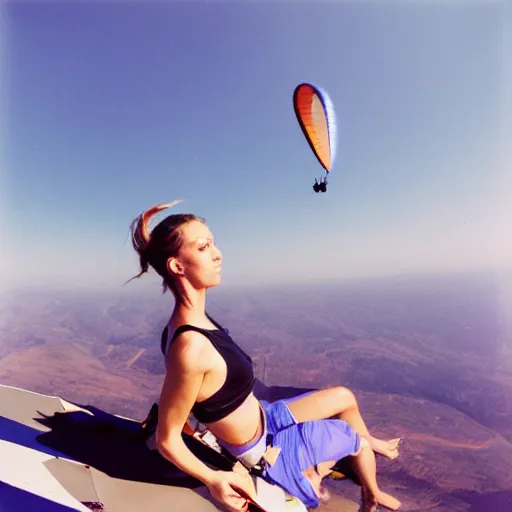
[185,370]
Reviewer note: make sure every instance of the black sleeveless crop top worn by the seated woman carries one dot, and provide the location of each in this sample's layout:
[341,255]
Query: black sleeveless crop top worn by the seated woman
[239,379]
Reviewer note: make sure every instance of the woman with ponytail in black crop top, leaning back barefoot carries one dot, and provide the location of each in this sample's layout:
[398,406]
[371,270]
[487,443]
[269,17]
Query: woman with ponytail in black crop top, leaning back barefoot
[209,375]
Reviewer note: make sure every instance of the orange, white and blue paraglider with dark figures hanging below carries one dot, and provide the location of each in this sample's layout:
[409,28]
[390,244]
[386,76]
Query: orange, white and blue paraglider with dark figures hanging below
[315,113]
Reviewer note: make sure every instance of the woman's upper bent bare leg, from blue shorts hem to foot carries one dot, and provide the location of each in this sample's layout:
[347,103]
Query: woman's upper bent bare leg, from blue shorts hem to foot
[339,402]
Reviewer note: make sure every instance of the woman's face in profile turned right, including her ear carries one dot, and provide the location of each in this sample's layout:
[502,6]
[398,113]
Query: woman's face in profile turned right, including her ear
[199,260]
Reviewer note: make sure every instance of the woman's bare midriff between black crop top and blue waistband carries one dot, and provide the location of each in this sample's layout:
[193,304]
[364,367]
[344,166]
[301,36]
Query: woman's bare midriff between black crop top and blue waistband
[242,426]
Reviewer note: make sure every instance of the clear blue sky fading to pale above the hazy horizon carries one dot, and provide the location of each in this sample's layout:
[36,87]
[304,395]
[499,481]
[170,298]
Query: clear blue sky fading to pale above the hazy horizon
[111,107]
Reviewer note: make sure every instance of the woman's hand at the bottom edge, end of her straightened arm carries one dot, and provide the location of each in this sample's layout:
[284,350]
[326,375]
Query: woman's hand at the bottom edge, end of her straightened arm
[229,488]
